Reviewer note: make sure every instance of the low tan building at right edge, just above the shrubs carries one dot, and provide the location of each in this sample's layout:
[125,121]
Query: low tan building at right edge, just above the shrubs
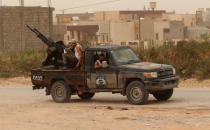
[194,33]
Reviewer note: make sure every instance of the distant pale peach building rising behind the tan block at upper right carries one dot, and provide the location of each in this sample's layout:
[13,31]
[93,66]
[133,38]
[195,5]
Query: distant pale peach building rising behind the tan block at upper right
[188,19]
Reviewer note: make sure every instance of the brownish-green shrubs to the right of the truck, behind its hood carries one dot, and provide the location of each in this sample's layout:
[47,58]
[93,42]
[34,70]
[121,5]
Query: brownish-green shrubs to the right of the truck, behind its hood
[191,59]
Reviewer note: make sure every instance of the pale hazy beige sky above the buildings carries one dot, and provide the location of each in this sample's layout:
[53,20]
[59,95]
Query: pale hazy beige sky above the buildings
[180,6]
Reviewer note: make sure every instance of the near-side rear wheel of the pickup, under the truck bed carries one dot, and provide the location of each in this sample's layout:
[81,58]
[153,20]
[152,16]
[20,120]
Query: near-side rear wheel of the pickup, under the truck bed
[60,92]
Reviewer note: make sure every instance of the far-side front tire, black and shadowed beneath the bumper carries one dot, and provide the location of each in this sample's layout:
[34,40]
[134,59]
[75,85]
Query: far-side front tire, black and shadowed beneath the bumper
[163,95]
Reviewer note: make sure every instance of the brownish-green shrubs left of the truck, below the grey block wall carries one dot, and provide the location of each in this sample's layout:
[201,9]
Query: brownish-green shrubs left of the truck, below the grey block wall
[20,64]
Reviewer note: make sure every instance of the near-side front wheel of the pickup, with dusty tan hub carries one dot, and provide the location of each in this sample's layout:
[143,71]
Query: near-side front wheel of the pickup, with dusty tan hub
[136,93]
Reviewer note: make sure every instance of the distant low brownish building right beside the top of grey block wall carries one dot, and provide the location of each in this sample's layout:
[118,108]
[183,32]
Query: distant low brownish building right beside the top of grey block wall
[75,19]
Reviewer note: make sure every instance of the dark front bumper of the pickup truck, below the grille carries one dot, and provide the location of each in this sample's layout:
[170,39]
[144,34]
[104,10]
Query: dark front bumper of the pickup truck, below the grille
[162,84]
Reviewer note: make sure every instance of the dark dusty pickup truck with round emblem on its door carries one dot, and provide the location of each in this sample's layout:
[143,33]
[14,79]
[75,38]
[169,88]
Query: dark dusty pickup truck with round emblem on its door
[122,72]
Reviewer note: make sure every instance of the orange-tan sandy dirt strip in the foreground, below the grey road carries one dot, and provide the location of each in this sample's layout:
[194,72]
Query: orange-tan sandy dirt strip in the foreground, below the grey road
[68,117]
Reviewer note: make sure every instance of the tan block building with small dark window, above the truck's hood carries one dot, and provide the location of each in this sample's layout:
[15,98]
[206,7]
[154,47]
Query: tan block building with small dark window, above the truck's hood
[159,31]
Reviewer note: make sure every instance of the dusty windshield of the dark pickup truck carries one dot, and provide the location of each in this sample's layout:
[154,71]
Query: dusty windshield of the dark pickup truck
[124,56]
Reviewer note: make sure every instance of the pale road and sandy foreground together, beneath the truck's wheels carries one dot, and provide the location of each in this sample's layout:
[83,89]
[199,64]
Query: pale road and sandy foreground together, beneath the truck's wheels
[24,109]
